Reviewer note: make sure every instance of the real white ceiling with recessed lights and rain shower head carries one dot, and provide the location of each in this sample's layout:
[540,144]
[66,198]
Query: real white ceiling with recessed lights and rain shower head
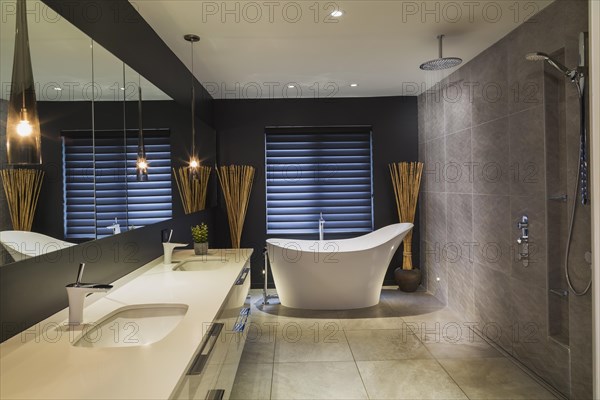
[258,48]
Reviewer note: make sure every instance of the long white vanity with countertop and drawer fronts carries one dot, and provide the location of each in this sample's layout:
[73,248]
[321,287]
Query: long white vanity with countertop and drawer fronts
[197,359]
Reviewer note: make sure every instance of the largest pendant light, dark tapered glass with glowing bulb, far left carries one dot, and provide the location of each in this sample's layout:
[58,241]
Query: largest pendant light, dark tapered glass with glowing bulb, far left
[23,136]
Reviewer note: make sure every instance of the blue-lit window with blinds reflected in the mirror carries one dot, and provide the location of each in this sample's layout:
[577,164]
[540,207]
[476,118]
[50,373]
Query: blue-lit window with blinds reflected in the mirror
[94,195]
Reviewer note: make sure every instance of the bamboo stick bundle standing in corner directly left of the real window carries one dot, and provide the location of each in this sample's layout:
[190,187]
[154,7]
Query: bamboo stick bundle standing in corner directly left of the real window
[236,182]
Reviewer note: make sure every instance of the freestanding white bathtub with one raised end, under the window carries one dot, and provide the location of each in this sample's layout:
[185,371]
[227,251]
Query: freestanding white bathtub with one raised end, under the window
[334,274]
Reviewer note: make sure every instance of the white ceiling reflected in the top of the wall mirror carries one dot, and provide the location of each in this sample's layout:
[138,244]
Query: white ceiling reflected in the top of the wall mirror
[61,56]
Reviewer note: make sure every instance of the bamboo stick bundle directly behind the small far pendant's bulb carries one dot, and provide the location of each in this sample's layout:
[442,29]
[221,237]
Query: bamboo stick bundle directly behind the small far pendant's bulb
[192,191]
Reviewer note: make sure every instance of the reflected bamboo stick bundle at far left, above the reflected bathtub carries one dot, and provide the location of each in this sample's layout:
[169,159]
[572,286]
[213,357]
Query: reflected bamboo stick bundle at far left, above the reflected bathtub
[22,188]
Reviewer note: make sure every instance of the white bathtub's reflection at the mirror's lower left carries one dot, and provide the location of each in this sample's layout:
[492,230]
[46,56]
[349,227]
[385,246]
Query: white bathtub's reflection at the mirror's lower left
[22,245]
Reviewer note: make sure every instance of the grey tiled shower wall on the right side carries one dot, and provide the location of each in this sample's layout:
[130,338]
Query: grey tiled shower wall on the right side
[500,130]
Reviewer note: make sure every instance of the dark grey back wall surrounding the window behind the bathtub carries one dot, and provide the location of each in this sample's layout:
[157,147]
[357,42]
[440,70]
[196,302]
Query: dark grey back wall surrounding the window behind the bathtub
[241,134]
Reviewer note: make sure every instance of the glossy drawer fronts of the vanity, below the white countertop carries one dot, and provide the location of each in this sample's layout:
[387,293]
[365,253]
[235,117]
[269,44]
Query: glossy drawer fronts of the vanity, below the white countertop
[212,373]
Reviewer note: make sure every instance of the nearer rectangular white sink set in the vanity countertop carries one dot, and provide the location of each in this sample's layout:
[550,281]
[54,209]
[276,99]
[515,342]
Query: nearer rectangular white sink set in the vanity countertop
[136,325]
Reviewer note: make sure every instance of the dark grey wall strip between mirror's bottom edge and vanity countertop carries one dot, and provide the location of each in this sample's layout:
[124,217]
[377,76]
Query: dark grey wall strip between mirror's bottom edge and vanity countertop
[34,289]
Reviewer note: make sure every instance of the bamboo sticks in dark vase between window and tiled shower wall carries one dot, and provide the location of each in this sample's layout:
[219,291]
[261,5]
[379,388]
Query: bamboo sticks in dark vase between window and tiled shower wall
[406,178]
